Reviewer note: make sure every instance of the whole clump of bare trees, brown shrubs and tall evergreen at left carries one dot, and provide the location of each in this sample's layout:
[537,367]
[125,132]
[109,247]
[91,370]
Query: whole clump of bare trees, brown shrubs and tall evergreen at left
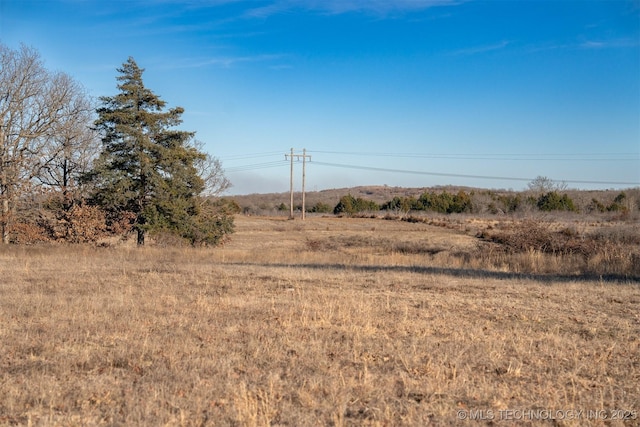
[71,170]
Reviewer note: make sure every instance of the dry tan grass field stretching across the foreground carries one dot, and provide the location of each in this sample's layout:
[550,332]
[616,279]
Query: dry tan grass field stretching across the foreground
[330,321]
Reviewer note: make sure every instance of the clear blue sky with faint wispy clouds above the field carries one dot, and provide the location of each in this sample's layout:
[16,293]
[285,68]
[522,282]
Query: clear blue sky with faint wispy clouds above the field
[410,93]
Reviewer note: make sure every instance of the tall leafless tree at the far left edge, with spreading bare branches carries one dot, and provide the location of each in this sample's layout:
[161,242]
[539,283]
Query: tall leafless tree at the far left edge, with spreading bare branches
[33,105]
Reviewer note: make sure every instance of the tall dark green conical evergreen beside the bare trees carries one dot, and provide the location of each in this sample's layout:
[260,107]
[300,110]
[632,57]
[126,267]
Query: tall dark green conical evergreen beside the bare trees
[147,169]
